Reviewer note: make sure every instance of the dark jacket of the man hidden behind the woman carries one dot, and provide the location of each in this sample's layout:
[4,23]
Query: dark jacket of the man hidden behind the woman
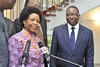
[43,24]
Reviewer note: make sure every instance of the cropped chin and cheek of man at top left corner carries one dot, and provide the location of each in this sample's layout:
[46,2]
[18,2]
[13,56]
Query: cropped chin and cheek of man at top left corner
[7,4]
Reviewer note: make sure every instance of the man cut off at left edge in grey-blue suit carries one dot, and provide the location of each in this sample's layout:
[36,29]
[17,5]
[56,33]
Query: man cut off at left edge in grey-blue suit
[4,4]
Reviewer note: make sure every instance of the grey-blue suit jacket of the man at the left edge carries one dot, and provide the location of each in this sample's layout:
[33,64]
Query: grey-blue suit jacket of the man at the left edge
[3,42]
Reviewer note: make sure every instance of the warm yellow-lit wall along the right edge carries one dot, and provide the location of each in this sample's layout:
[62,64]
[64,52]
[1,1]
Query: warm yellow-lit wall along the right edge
[88,21]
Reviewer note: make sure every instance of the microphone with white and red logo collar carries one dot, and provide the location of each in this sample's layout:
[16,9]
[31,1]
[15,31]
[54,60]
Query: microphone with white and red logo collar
[44,51]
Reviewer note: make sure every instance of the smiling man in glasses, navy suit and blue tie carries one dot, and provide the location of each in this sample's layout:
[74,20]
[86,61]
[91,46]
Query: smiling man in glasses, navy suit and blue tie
[72,42]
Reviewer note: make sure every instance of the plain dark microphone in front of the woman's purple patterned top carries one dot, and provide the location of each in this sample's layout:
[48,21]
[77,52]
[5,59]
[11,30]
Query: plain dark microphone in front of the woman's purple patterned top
[26,53]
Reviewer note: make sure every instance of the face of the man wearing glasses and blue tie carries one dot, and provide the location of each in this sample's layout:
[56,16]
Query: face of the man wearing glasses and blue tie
[72,16]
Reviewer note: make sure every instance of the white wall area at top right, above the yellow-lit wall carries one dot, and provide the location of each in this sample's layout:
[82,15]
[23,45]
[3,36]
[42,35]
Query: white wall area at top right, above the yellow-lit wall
[86,5]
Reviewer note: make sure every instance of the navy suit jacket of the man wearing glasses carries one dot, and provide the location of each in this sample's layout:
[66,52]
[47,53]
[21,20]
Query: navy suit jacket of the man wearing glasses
[61,47]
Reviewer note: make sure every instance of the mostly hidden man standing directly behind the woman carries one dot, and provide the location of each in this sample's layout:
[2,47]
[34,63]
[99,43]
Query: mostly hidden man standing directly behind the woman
[34,3]
